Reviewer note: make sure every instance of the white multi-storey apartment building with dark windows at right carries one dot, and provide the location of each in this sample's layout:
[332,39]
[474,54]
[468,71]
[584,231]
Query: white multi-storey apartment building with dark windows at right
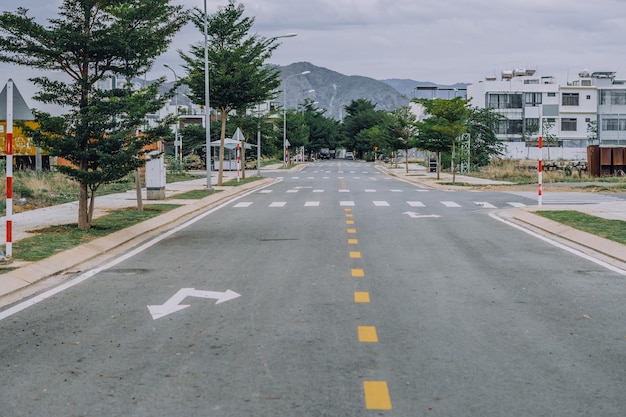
[569,112]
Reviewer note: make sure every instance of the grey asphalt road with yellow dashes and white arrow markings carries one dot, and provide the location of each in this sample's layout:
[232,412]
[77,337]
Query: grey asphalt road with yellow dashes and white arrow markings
[358,295]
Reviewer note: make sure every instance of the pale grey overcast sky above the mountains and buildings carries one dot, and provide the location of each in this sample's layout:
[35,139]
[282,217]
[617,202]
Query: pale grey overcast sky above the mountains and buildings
[443,41]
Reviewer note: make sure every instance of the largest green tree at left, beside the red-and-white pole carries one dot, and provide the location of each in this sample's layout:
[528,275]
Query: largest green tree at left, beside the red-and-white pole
[91,41]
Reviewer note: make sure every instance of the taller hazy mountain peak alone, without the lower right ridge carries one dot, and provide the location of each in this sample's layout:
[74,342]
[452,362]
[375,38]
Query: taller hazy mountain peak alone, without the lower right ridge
[333,91]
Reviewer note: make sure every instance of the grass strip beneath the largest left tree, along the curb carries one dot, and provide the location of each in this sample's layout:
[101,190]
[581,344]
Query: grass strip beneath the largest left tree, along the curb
[54,239]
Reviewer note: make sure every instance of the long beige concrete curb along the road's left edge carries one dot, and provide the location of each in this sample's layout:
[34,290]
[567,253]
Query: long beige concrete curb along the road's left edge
[64,261]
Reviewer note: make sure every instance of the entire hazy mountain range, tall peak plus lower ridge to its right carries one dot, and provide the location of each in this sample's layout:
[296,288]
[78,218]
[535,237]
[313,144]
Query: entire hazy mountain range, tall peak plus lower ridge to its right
[333,91]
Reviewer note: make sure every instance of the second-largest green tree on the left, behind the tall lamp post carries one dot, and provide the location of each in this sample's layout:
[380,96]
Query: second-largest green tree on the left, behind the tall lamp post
[238,74]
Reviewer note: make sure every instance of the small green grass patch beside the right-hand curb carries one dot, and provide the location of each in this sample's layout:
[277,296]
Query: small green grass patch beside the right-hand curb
[614,230]
